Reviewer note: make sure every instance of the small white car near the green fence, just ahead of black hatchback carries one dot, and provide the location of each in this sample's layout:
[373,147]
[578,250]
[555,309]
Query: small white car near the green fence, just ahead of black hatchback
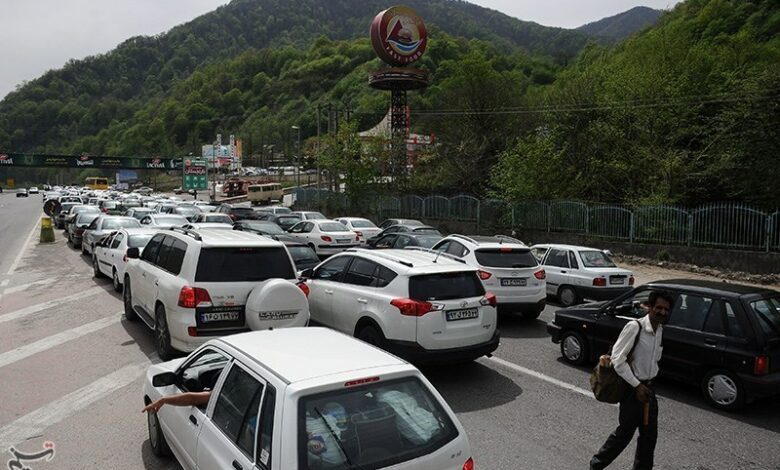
[575,273]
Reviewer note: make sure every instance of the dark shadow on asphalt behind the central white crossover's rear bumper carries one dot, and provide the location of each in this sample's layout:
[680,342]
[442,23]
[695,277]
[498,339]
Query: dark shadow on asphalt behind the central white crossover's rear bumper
[464,386]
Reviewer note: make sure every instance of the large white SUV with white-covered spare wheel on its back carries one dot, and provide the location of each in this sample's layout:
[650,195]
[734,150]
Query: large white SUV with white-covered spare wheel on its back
[190,285]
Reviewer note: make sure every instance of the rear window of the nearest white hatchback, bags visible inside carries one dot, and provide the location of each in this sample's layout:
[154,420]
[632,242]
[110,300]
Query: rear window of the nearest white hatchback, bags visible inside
[371,426]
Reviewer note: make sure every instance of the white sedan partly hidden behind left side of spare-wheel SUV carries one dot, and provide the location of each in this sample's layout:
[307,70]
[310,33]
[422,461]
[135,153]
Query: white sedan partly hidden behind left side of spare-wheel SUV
[109,256]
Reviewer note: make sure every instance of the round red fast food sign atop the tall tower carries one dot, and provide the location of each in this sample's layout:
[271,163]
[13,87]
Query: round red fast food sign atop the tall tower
[399,36]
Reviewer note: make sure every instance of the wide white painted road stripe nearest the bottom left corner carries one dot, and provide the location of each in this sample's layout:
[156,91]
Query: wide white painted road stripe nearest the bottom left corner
[35,422]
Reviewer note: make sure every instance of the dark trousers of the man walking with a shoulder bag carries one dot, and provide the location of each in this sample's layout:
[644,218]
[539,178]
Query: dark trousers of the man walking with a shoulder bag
[631,418]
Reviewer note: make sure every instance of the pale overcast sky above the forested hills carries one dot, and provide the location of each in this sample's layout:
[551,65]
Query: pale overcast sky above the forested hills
[40,35]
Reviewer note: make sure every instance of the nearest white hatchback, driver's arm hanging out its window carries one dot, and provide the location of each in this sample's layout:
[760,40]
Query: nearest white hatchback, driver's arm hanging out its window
[302,398]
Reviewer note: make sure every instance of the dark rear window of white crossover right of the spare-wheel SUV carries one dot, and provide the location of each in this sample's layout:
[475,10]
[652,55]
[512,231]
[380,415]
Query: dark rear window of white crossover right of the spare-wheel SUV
[444,286]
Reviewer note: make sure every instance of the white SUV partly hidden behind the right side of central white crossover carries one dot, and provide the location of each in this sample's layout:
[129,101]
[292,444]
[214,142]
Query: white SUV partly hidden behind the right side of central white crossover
[506,267]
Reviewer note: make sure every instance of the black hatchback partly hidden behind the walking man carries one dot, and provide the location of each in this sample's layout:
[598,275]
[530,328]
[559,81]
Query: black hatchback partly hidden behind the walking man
[723,338]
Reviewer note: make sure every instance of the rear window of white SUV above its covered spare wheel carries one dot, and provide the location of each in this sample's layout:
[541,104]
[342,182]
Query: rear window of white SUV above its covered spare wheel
[249,264]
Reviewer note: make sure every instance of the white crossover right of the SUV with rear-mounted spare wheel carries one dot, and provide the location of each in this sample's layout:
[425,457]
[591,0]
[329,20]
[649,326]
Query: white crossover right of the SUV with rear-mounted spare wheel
[423,306]
